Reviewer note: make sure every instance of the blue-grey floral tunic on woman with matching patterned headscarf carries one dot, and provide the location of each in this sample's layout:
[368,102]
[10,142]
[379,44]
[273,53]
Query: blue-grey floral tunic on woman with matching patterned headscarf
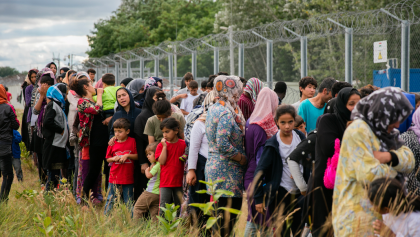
[225,141]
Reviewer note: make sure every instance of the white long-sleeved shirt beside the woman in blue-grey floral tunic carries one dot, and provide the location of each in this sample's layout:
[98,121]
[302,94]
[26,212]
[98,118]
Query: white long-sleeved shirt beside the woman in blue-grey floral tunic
[198,144]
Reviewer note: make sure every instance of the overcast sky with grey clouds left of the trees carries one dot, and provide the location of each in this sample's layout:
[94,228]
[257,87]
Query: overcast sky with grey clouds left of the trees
[32,30]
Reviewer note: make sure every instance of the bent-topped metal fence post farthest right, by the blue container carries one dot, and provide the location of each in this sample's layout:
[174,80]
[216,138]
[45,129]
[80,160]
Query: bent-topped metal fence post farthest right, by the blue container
[405,51]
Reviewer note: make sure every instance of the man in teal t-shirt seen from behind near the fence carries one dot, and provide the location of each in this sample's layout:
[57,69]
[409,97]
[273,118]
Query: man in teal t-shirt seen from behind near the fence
[312,108]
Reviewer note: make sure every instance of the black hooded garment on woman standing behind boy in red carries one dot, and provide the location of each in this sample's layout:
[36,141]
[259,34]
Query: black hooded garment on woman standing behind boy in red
[121,113]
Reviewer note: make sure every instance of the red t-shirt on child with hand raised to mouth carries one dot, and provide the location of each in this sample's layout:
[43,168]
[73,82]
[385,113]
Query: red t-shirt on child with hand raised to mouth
[172,173]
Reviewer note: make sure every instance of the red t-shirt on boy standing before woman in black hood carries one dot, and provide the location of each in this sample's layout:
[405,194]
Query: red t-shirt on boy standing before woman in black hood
[122,173]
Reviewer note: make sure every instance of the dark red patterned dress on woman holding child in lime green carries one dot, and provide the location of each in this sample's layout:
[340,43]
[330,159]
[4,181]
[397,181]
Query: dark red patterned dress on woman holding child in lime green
[87,109]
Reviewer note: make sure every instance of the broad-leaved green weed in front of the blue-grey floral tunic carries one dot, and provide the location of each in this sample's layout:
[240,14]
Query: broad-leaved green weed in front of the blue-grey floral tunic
[211,208]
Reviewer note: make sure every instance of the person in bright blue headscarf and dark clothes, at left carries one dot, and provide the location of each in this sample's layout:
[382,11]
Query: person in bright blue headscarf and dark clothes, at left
[55,131]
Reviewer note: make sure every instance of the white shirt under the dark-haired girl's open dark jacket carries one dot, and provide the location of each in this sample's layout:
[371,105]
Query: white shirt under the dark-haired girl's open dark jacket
[285,150]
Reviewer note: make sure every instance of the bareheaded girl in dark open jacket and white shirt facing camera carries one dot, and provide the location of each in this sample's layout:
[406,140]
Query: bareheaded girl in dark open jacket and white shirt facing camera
[278,187]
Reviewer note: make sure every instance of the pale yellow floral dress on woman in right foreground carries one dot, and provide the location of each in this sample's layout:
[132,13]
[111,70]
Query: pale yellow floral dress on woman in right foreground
[352,212]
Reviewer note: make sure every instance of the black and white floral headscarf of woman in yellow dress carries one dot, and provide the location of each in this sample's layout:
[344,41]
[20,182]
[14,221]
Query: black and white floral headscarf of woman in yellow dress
[380,109]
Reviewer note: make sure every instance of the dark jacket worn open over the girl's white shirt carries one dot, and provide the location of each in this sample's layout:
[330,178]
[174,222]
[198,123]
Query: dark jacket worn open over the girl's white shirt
[269,171]
